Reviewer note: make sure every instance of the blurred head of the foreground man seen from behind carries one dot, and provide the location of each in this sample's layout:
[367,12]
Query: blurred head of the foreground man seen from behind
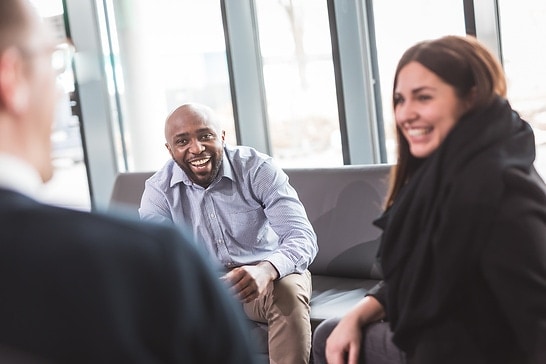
[28,88]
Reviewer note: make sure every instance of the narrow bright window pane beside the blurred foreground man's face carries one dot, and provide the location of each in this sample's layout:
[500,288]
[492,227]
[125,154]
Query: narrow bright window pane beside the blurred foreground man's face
[69,186]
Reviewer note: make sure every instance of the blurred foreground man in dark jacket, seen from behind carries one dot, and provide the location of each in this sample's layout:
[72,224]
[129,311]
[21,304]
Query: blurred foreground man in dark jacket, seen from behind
[77,287]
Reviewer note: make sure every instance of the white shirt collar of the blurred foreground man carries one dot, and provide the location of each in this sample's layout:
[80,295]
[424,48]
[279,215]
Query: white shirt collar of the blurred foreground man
[18,175]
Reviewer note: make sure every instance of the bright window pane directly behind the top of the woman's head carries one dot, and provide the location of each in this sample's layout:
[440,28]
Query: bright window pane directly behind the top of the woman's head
[399,24]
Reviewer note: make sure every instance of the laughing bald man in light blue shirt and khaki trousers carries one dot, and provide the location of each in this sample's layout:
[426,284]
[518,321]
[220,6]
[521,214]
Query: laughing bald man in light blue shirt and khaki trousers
[249,220]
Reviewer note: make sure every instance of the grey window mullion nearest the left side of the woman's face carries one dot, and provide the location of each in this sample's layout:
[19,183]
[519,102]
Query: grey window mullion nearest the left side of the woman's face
[355,80]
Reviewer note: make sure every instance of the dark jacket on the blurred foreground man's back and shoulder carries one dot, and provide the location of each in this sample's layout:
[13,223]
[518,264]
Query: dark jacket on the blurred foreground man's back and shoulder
[82,287]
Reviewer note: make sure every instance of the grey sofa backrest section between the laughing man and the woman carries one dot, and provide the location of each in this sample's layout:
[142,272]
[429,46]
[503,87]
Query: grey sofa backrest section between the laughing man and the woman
[341,203]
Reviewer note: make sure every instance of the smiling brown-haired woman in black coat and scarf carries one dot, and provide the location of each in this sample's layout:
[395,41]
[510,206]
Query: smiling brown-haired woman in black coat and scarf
[464,231]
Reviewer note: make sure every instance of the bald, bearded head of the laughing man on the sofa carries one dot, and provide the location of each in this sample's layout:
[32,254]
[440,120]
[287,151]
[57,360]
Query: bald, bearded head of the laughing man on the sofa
[195,141]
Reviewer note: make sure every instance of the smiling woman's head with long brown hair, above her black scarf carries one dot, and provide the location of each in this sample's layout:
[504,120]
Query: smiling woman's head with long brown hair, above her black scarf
[436,83]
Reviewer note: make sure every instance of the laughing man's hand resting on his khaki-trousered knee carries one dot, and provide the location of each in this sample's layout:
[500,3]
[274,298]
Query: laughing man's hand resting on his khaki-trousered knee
[250,281]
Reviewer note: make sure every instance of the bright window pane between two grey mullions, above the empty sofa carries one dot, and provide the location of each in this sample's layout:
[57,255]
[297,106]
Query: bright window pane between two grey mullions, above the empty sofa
[299,82]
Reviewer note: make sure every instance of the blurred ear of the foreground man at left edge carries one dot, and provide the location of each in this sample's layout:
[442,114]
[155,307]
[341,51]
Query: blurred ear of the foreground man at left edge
[14,95]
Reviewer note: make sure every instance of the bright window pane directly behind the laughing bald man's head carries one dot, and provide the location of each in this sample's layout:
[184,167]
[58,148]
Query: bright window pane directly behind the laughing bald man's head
[167,53]
